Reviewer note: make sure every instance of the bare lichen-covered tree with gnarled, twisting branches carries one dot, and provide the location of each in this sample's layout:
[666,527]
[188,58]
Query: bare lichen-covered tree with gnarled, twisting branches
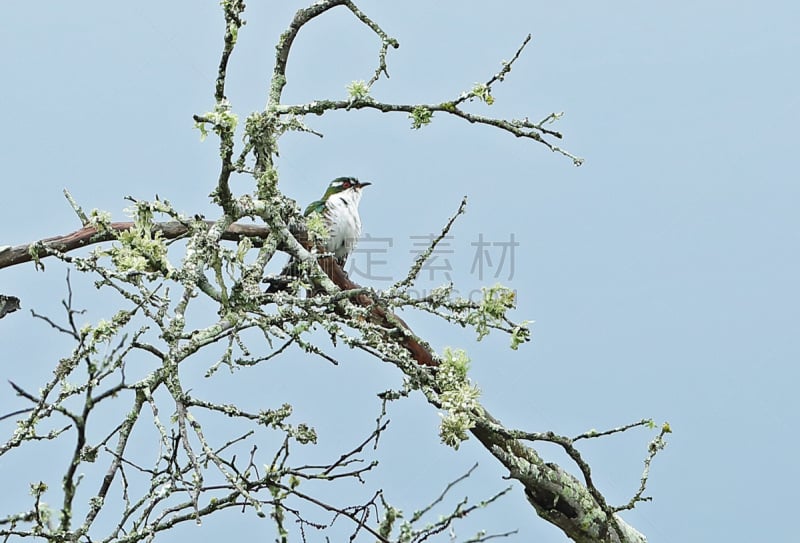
[166,270]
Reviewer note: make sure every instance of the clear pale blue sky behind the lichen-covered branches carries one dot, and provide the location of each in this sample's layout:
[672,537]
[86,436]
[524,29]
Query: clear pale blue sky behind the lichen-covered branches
[662,274]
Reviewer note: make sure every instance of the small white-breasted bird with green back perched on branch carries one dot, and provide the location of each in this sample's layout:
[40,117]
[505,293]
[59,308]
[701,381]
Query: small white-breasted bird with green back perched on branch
[339,210]
